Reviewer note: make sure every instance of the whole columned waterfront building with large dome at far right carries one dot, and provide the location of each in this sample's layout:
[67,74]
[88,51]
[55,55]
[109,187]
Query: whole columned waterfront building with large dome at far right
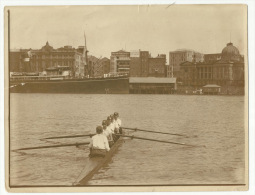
[228,72]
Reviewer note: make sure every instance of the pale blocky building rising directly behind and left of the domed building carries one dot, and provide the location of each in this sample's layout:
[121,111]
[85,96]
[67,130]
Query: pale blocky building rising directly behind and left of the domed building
[182,55]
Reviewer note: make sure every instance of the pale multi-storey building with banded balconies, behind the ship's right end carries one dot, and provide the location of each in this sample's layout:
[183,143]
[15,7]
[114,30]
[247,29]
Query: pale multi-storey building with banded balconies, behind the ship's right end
[120,62]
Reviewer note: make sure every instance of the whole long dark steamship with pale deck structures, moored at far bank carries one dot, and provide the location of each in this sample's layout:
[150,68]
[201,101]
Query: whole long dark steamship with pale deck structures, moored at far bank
[64,83]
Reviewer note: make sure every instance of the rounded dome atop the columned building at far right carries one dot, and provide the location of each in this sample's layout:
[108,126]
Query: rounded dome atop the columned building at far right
[230,53]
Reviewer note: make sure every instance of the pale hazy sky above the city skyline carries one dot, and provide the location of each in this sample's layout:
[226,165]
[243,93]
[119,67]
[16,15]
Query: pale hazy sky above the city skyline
[158,29]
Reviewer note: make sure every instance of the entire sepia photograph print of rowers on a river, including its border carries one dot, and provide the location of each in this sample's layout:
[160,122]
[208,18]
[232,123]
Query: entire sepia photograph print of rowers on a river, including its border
[127,96]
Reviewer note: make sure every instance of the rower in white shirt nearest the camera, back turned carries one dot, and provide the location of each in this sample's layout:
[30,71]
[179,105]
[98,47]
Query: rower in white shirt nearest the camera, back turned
[99,144]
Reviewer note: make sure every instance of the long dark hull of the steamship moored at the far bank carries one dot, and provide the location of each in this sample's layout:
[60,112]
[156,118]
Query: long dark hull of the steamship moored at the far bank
[77,86]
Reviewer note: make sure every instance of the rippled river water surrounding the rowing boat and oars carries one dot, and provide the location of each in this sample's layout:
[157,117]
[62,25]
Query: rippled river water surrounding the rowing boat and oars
[214,121]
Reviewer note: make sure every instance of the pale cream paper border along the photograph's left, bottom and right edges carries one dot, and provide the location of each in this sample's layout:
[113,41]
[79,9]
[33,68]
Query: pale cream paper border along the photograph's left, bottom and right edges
[121,189]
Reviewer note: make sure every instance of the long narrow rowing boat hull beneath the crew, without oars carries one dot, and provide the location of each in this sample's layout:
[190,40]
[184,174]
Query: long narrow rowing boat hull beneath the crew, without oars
[94,164]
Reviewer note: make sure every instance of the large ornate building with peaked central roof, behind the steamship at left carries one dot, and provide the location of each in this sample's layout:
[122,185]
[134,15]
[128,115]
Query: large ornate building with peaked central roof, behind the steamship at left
[37,60]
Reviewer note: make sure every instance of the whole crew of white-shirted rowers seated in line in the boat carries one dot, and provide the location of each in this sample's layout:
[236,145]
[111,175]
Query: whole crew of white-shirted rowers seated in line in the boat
[106,135]
